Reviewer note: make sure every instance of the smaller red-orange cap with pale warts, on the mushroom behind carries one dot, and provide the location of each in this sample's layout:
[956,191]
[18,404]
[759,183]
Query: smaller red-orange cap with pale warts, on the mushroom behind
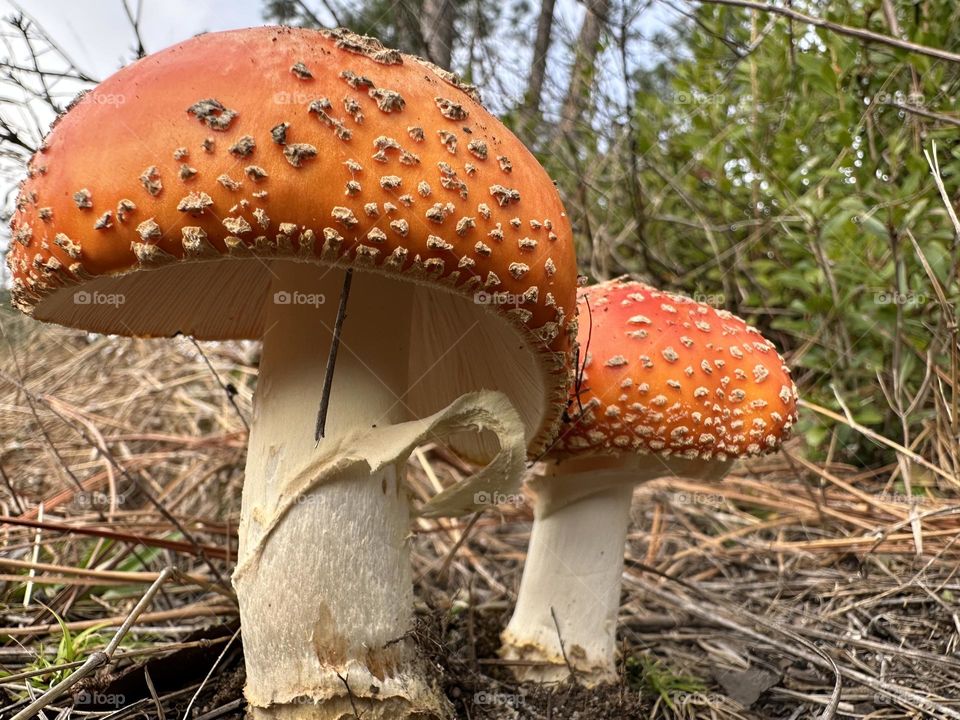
[669,375]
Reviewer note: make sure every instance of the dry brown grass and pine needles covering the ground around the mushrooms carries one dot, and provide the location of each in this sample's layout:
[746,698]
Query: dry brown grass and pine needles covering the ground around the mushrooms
[789,590]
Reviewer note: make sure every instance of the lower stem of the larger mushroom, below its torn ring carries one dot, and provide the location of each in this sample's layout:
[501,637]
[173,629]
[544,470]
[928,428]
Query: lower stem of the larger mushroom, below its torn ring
[327,606]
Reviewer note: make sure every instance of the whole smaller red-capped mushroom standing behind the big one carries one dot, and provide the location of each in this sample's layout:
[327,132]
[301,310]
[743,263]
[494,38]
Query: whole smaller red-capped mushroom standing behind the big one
[670,387]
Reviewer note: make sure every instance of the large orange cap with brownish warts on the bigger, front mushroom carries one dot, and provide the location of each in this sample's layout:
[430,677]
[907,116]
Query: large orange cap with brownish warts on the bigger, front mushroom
[318,146]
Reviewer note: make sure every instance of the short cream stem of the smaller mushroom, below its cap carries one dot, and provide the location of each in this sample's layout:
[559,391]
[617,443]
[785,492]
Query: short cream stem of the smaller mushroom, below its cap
[570,591]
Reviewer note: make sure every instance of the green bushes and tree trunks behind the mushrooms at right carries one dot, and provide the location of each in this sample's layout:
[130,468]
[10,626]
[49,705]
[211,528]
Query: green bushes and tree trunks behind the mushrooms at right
[763,165]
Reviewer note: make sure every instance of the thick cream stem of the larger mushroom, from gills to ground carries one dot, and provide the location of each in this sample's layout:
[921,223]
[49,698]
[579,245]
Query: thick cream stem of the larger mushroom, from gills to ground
[325,582]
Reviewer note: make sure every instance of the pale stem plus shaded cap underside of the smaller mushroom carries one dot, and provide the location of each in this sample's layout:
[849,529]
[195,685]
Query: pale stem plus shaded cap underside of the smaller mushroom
[569,599]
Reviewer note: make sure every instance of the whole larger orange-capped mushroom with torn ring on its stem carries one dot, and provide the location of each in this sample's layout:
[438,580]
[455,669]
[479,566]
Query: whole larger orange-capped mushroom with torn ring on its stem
[226,188]
